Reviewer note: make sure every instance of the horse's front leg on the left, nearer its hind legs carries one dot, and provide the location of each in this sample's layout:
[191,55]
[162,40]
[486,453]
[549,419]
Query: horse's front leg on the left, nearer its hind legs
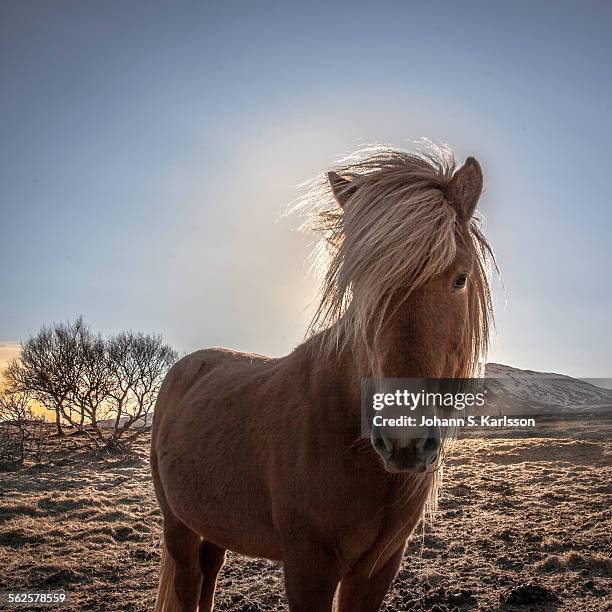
[311,577]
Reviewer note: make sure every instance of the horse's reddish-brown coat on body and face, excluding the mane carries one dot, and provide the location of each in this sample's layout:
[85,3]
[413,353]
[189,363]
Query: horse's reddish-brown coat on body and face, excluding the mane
[264,456]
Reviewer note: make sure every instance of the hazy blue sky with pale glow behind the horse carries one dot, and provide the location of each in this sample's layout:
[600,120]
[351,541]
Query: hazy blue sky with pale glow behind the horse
[149,147]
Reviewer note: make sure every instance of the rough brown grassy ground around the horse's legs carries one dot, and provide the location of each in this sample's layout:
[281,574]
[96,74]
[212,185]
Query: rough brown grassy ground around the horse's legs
[521,523]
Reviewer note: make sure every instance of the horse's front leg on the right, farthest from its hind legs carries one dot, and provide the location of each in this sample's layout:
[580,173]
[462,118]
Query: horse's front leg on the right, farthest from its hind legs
[362,592]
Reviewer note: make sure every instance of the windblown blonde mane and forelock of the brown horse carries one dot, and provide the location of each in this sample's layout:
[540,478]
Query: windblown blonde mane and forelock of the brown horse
[395,231]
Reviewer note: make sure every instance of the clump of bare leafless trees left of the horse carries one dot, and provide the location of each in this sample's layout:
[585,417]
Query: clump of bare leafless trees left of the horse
[86,378]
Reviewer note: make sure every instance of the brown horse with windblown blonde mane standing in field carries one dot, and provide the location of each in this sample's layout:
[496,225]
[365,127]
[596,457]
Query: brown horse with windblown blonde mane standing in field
[264,456]
